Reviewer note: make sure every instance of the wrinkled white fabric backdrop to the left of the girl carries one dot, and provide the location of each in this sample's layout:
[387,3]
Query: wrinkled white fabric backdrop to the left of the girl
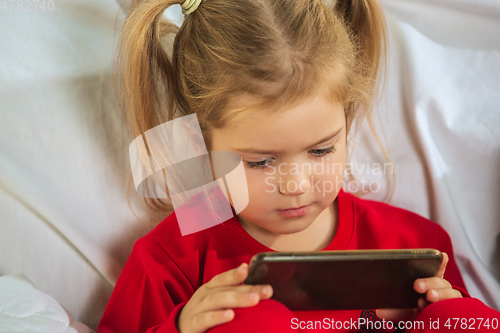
[64,218]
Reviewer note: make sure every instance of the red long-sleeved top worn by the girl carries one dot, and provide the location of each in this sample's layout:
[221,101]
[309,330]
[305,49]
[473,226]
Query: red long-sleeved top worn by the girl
[165,268]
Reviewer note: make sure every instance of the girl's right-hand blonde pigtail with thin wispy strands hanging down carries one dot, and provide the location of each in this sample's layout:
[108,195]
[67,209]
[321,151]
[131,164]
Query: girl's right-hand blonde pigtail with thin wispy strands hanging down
[367,29]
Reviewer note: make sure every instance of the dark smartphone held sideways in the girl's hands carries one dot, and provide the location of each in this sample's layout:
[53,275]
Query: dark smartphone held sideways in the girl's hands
[344,280]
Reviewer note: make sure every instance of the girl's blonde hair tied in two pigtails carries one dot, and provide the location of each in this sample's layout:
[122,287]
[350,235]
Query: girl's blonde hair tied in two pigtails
[228,48]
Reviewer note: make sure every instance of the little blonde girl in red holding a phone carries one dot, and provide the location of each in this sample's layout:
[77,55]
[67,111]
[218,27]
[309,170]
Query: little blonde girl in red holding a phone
[281,83]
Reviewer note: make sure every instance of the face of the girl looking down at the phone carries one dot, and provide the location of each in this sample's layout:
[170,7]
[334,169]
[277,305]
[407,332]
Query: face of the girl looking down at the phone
[292,160]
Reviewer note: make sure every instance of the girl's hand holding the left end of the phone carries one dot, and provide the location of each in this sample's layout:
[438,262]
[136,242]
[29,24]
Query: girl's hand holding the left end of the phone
[211,304]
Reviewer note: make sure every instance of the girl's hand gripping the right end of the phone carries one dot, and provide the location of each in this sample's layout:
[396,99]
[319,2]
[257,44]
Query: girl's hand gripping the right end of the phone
[435,289]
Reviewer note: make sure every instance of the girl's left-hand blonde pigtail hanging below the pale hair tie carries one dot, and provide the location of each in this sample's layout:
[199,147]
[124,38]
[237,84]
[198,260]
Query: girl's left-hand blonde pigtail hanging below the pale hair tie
[144,74]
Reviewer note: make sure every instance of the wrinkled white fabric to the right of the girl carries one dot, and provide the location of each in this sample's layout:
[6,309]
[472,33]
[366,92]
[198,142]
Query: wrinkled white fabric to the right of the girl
[439,118]
